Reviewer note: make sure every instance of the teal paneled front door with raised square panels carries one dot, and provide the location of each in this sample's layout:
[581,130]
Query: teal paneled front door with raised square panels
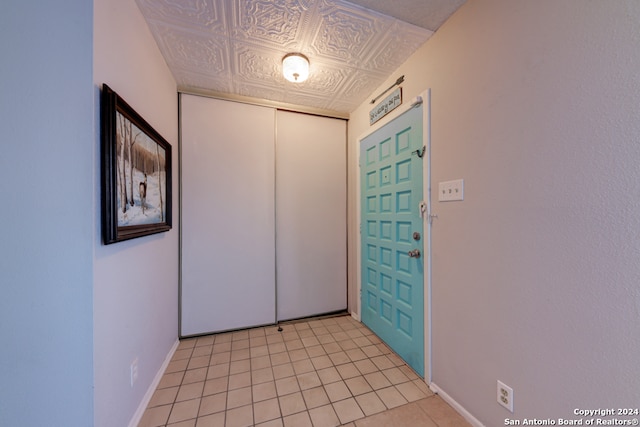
[392,236]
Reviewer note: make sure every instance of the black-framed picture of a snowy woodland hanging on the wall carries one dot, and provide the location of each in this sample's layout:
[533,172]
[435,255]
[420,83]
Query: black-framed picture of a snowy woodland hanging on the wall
[136,173]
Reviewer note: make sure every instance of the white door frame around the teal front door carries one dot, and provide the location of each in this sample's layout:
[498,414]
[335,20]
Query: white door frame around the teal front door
[425,99]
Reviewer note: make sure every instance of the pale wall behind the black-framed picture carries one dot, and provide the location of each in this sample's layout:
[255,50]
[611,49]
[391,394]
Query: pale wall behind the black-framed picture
[135,282]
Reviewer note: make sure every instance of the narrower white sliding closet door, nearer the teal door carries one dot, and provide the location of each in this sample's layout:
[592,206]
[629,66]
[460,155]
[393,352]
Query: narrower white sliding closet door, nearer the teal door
[311,215]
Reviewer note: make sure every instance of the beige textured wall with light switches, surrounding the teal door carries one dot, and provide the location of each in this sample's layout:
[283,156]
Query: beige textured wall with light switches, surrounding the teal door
[535,274]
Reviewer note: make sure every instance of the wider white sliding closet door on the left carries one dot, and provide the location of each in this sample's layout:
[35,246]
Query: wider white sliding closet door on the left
[227,215]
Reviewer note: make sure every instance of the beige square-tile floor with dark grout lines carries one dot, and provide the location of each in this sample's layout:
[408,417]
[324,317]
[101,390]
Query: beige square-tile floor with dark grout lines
[317,373]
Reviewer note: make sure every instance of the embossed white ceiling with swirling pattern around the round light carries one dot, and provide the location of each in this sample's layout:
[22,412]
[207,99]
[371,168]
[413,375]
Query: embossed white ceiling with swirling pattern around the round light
[234,48]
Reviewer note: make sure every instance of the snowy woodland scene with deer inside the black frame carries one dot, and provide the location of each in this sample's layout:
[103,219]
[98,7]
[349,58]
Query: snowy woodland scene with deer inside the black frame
[141,176]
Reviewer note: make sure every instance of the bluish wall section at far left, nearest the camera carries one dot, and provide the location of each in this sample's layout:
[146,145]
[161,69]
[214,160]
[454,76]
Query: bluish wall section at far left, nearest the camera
[46,214]
